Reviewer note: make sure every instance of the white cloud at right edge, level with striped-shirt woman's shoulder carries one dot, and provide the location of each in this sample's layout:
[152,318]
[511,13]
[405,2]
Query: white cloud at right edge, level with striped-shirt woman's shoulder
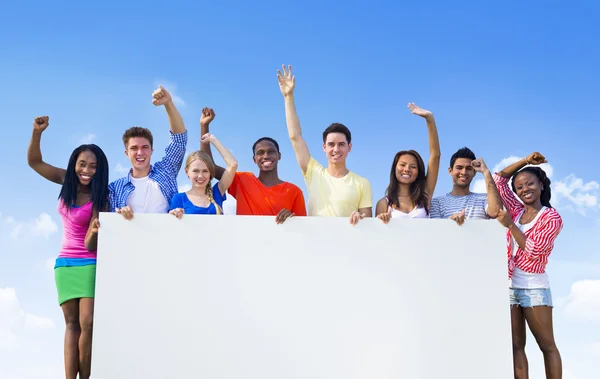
[582,196]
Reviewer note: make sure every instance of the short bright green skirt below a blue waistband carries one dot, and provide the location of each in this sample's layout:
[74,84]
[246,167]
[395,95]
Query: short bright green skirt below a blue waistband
[75,282]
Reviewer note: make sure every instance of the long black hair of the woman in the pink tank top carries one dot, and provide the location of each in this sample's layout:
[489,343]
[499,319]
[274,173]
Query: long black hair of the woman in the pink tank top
[98,185]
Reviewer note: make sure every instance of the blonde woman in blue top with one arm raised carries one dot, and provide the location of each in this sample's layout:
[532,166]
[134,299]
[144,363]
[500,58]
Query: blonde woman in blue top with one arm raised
[203,197]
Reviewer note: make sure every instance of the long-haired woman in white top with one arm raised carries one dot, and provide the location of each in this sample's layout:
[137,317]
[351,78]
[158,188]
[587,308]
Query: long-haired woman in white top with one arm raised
[410,190]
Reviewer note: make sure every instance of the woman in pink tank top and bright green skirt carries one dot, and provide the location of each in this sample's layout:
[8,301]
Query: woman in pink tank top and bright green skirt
[84,193]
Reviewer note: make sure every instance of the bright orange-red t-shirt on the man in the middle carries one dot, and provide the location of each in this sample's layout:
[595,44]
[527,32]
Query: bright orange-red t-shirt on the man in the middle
[253,198]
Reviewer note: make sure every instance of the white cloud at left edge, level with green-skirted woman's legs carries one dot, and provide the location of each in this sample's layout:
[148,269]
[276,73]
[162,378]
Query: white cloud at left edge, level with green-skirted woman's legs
[14,320]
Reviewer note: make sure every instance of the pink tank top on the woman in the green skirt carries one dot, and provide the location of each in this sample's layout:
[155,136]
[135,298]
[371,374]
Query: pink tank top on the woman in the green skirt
[76,222]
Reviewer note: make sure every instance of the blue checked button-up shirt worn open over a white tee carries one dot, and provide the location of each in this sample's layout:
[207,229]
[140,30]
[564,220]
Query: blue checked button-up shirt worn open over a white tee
[164,173]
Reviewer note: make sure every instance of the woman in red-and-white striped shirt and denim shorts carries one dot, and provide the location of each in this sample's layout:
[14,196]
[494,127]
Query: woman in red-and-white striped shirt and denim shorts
[533,226]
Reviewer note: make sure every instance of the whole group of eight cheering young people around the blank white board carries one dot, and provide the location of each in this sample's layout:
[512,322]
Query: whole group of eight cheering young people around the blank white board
[518,197]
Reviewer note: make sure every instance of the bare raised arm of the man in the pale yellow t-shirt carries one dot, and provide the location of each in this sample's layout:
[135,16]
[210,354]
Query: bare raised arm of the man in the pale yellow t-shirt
[287,83]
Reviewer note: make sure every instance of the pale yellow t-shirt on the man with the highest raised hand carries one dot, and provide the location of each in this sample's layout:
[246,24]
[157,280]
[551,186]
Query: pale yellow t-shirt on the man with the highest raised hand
[335,197]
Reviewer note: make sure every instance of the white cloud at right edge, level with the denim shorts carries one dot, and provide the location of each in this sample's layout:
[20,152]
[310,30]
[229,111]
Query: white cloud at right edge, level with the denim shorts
[584,300]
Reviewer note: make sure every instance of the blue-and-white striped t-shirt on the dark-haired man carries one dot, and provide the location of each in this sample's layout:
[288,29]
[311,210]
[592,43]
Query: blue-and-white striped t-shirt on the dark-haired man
[474,204]
